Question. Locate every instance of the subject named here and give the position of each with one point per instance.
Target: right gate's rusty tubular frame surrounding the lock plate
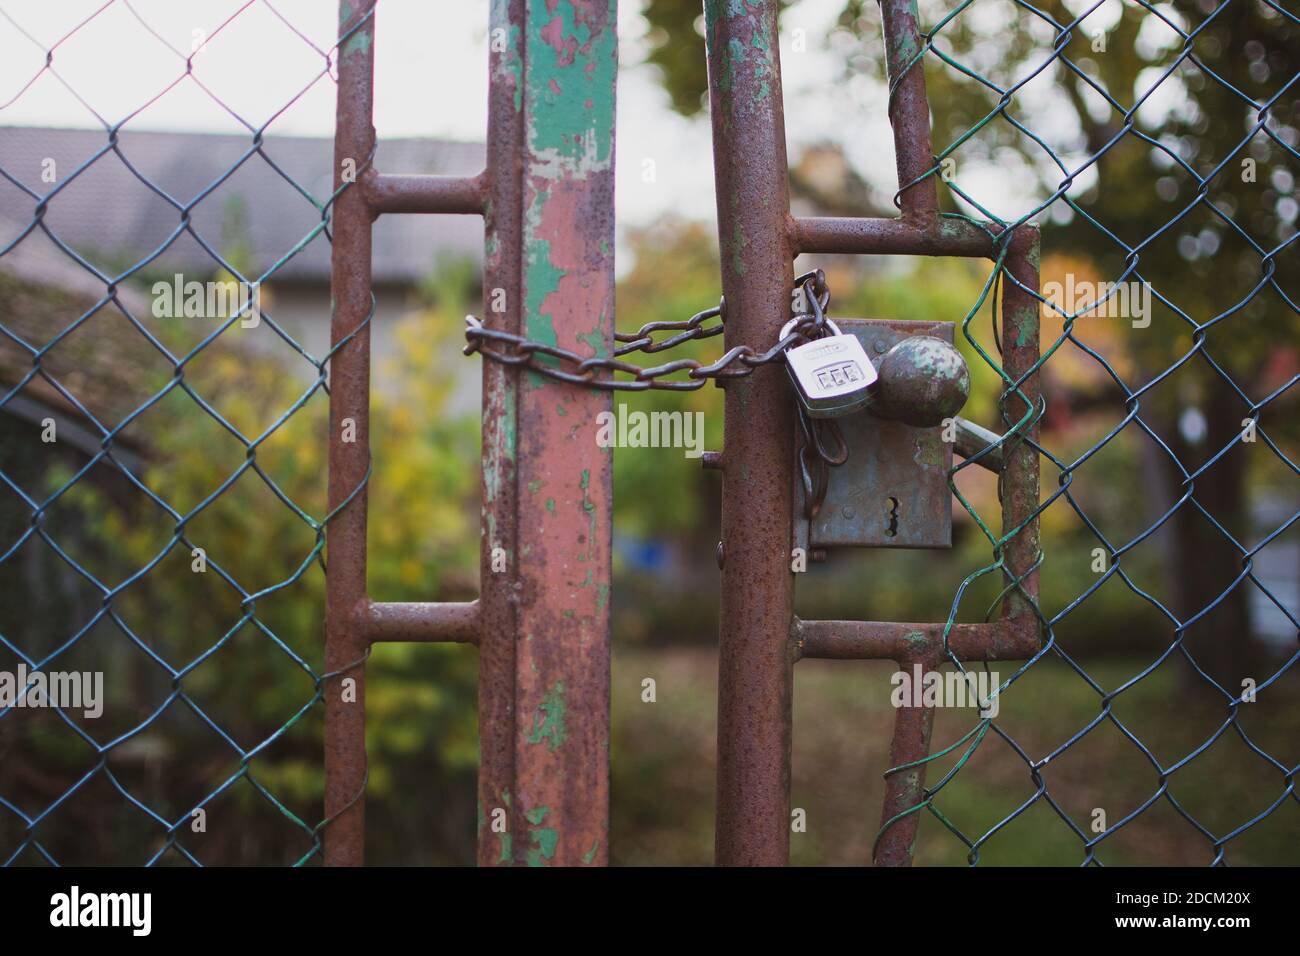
(760, 637)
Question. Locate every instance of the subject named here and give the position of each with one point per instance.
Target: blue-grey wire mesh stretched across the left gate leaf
(88, 358)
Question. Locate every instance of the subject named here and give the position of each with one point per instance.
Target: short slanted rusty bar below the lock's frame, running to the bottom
(905, 789)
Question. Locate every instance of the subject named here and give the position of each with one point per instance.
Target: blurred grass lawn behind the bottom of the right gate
(664, 767)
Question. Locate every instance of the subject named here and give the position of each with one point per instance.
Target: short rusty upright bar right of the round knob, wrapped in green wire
(1020, 486)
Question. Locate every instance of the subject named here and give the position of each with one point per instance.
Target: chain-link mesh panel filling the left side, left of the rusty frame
(164, 521)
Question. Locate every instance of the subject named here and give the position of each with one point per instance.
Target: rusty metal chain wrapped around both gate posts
(821, 442)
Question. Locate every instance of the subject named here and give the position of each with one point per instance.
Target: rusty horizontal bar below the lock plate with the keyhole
(1009, 639)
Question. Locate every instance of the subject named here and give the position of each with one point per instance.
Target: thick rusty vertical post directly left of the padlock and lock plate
(756, 652)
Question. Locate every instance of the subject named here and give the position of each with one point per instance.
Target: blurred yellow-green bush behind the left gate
(257, 514)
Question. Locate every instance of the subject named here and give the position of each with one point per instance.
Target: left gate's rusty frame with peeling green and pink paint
(543, 624)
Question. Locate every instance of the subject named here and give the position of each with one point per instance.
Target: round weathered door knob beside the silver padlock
(924, 380)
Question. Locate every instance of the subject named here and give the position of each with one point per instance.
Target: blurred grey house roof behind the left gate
(114, 219)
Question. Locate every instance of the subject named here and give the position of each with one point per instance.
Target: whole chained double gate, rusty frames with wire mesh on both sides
(553, 360)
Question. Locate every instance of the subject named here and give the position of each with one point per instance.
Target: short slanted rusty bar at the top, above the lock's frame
(909, 111)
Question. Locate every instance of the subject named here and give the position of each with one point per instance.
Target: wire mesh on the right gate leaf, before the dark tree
(1160, 194)
